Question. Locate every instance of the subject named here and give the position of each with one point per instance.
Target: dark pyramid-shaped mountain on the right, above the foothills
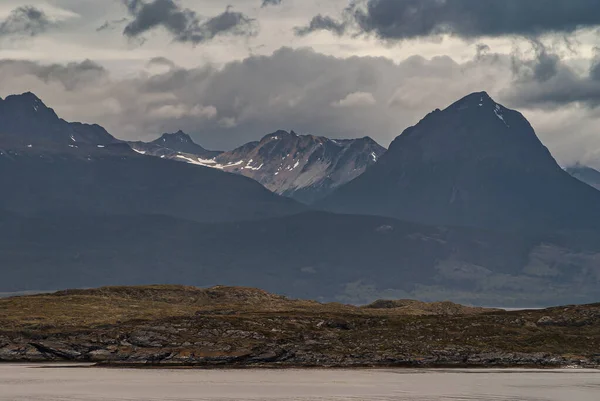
(476, 163)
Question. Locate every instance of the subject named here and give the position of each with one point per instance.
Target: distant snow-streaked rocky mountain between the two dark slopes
(303, 167)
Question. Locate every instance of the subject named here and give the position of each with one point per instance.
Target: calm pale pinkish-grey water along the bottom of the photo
(27, 382)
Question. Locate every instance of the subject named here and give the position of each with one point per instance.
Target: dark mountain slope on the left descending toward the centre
(54, 166)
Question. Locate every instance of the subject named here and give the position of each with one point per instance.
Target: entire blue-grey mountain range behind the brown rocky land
(467, 205)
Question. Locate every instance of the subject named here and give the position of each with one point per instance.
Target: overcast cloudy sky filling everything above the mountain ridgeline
(228, 72)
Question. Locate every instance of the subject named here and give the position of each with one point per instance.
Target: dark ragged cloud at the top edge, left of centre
(184, 24)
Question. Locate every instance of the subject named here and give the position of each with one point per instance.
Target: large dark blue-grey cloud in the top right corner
(410, 19)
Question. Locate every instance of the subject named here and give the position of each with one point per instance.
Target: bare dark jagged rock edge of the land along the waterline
(283, 357)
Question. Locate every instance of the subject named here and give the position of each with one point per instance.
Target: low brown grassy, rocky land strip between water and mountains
(230, 328)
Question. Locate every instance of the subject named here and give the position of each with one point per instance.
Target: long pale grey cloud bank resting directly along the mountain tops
(302, 90)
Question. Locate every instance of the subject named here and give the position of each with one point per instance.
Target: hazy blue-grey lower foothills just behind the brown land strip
(323, 256)
